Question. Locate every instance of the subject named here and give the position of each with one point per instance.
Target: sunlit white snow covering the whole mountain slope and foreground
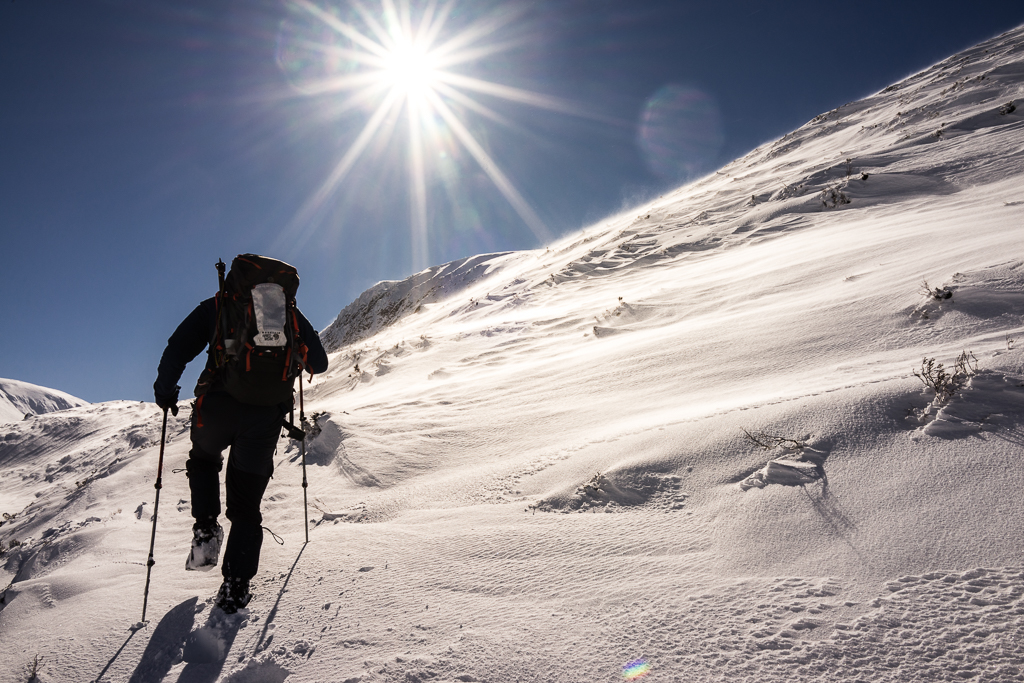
(479, 416)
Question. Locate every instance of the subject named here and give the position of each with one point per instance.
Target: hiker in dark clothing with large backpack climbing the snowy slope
(259, 344)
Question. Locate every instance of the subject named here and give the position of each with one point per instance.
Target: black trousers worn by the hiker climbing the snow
(252, 432)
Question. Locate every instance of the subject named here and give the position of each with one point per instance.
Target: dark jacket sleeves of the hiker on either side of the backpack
(195, 333)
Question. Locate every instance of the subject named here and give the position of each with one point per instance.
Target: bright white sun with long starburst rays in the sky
(399, 56)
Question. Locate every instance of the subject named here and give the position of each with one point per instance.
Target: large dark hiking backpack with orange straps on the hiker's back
(257, 352)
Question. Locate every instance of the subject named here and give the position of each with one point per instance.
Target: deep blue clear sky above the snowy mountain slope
(143, 141)
